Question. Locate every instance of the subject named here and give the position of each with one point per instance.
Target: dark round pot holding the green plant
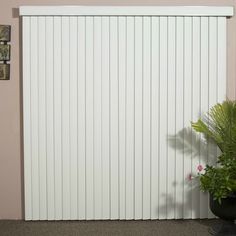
(226, 210)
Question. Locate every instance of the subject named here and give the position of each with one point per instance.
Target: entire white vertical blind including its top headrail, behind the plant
(109, 93)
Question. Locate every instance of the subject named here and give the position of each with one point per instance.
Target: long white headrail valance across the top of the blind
(127, 11)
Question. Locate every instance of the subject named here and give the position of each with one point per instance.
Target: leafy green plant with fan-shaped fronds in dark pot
(219, 125)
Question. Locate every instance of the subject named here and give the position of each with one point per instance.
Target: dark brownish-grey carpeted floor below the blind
(100, 228)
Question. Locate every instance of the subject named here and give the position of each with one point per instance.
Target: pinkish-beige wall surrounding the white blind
(11, 150)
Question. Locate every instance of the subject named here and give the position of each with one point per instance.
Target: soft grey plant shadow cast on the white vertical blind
(188, 144)
